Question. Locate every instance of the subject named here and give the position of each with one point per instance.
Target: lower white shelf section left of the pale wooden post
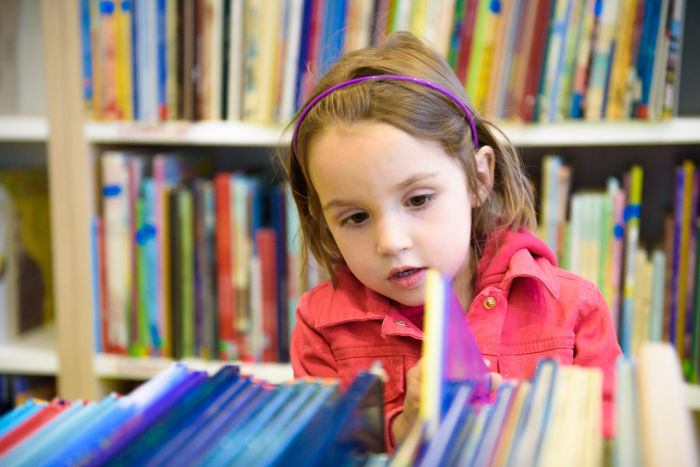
(31, 353)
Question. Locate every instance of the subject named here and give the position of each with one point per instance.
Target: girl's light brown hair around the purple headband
(419, 111)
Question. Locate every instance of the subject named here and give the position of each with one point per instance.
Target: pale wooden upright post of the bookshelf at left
(71, 199)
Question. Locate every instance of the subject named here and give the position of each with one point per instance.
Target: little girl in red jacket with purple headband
(393, 171)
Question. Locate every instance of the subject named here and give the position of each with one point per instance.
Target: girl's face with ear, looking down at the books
(396, 205)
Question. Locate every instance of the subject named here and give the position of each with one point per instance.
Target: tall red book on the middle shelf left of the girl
(224, 282)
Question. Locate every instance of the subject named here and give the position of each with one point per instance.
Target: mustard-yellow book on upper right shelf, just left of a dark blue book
(621, 60)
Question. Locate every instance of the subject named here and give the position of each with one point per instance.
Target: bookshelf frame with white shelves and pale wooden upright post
(66, 350)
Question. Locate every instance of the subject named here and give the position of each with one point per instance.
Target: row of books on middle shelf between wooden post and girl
(190, 263)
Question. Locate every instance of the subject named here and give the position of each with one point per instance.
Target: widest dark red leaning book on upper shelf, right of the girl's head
(533, 74)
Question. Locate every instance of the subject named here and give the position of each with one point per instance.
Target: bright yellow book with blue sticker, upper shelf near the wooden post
(124, 87)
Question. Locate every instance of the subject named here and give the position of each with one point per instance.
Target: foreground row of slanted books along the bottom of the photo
(189, 418)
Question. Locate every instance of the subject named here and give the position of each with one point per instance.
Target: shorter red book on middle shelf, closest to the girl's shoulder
(265, 239)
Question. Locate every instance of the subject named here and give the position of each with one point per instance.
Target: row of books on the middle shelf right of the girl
(652, 295)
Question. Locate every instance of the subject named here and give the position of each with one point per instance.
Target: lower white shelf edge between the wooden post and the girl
(109, 366)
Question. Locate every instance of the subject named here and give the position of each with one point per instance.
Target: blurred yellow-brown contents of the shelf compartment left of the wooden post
(26, 281)
